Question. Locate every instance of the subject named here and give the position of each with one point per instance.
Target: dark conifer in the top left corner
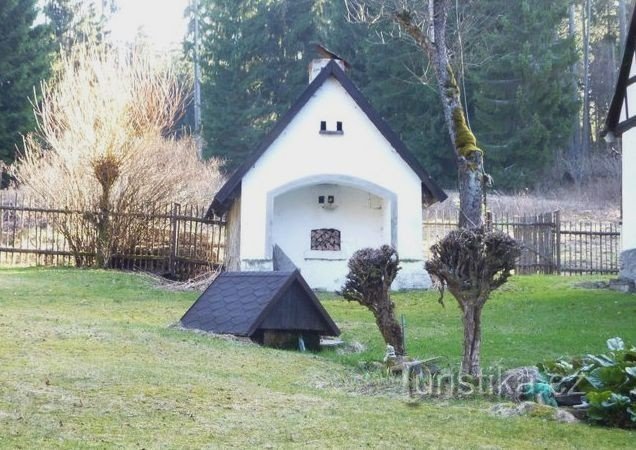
(24, 61)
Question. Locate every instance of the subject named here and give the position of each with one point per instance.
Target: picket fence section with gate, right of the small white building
(549, 245)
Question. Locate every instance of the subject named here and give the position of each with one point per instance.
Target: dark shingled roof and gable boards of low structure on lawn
(239, 303)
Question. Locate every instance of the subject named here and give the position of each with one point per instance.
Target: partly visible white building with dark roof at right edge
(621, 122)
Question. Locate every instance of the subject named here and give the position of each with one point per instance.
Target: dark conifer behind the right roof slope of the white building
(390, 72)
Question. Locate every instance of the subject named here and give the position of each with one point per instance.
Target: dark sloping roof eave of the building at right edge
(613, 123)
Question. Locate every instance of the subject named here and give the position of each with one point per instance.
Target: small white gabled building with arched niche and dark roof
(329, 179)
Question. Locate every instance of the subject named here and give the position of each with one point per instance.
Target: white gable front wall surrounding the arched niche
(302, 153)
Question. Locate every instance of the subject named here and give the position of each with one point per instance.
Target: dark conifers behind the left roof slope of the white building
(254, 57)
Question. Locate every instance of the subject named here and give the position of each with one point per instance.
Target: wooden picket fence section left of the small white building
(174, 240)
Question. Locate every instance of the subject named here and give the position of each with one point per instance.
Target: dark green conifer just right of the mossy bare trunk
(523, 98)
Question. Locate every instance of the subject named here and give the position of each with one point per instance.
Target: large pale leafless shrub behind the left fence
(103, 145)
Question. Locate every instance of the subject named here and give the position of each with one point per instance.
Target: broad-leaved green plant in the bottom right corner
(608, 381)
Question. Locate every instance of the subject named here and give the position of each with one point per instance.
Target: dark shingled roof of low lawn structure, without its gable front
(238, 302)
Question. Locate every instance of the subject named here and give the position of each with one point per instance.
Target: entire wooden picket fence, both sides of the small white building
(177, 240)
